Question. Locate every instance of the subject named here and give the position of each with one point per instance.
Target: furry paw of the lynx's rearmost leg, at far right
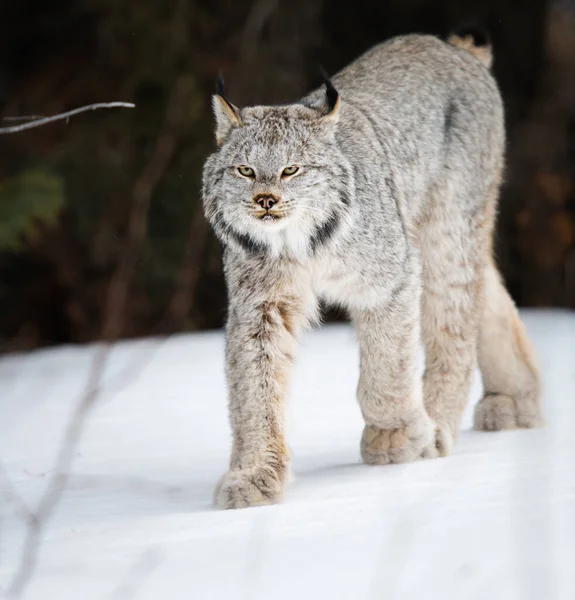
(498, 411)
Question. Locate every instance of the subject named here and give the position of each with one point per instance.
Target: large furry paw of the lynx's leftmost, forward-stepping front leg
(242, 488)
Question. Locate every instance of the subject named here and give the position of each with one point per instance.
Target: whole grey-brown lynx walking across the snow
(378, 194)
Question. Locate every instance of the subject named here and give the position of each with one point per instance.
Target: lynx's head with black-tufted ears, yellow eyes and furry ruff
(278, 183)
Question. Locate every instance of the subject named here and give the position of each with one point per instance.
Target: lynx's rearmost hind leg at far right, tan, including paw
(510, 378)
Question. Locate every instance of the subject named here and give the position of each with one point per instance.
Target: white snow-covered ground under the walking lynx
(496, 520)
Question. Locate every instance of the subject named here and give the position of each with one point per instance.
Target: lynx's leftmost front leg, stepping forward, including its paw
(261, 343)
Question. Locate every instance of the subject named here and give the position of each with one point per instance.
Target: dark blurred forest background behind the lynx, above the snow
(117, 188)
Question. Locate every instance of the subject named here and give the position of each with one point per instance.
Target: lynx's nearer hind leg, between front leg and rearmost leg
(454, 250)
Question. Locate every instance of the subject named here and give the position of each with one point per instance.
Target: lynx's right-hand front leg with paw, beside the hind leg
(389, 392)
